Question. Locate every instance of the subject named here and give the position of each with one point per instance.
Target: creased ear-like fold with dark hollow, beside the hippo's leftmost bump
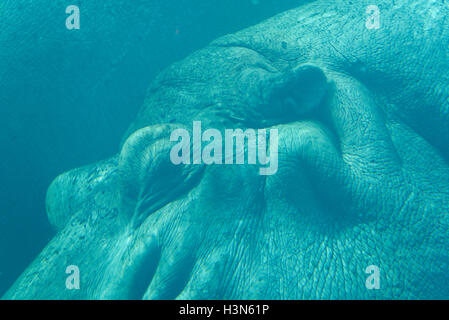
(150, 179)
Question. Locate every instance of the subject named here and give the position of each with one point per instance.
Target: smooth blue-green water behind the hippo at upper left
(67, 96)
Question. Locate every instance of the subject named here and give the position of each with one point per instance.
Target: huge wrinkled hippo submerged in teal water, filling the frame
(362, 180)
